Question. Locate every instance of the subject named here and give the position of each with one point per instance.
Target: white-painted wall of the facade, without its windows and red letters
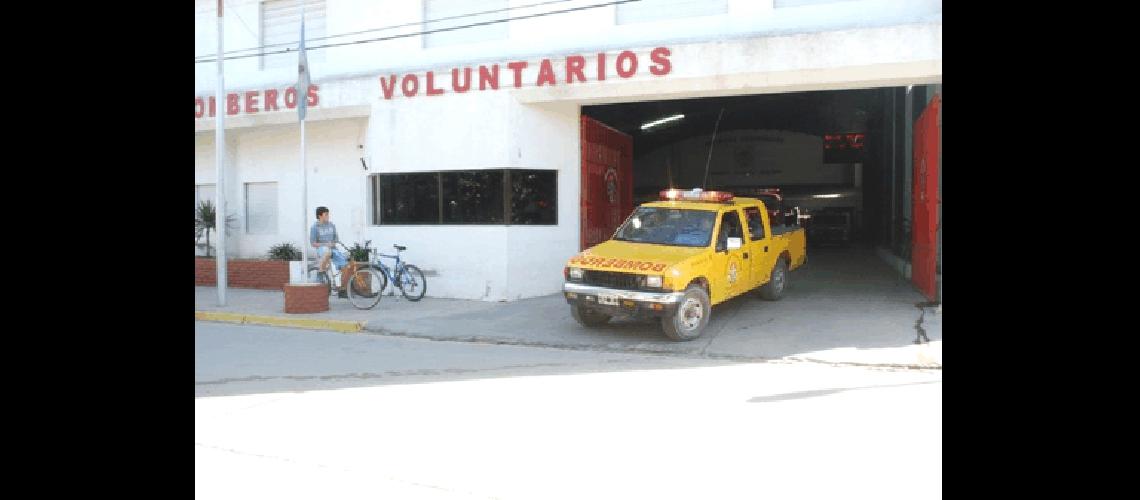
(756, 48)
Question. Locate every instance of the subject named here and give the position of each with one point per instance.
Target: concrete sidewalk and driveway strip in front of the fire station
(817, 322)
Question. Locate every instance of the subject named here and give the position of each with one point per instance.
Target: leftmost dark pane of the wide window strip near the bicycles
(410, 199)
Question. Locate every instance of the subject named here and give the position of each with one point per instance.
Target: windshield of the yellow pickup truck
(674, 227)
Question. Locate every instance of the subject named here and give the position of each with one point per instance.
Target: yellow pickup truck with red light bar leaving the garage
(677, 258)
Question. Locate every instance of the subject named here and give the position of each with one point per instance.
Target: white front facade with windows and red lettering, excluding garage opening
(455, 128)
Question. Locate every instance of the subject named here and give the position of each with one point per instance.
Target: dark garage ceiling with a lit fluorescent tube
(813, 113)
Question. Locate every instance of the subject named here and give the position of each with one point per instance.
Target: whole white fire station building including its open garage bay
(495, 138)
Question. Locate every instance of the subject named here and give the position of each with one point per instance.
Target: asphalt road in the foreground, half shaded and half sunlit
(302, 414)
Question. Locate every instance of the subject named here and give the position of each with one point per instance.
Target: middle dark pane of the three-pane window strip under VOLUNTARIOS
(473, 198)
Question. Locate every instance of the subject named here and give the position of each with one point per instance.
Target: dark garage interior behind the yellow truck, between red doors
(841, 157)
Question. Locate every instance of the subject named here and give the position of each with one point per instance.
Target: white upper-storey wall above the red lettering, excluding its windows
(588, 30)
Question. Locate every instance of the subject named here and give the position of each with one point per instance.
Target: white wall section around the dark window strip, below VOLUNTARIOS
(482, 263)
